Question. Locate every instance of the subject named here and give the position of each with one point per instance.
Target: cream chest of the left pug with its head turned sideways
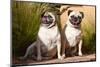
(48, 36)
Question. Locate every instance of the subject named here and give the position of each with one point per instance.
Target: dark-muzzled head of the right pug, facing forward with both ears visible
(75, 17)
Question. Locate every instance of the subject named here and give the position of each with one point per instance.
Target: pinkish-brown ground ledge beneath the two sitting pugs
(84, 58)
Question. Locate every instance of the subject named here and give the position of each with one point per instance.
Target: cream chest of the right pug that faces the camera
(73, 36)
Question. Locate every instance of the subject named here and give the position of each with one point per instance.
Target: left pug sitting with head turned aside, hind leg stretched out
(48, 42)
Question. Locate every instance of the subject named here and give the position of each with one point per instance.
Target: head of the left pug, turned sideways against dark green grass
(48, 18)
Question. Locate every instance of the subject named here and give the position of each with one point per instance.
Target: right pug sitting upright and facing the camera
(73, 33)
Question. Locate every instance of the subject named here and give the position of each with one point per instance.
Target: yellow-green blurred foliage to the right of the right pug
(89, 35)
